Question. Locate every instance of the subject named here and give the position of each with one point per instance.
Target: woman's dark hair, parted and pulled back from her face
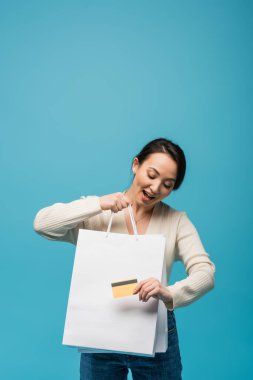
(162, 145)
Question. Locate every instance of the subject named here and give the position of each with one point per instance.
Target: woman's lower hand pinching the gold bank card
(152, 288)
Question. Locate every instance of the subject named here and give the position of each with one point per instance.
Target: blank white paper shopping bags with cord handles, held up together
(98, 322)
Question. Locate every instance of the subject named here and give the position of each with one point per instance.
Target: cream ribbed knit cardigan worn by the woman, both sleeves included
(62, 221)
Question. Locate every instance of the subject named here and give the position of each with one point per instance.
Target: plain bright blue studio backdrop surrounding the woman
(84, 85)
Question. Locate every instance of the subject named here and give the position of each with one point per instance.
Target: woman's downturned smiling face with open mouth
(154, 179)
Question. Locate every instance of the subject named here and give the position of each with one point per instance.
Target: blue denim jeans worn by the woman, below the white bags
(165, 365)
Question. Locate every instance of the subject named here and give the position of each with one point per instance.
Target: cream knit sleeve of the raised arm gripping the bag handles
(61, 221)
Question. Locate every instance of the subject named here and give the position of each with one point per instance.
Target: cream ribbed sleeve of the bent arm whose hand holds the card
(199, 267)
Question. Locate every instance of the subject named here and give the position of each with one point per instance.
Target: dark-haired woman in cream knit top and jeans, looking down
(158, 170)
